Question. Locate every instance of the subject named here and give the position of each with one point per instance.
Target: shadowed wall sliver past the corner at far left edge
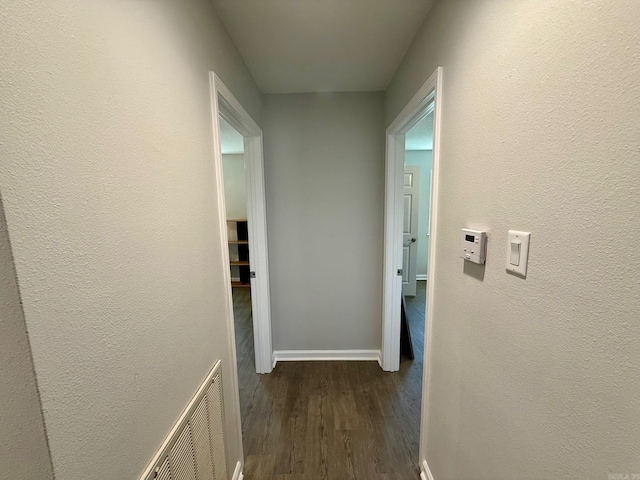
(23, 451)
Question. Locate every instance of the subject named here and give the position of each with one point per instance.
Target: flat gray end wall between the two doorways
(324, 170)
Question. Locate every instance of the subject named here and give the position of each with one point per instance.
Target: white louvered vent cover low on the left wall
(195, 449)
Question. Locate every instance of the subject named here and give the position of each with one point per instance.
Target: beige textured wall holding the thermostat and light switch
(535, 378)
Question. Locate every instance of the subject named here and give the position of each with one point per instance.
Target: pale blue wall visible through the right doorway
(422, 159)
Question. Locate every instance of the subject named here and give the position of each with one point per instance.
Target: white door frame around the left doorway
(224, 103)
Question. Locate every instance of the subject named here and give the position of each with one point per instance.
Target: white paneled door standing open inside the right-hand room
(410, 229)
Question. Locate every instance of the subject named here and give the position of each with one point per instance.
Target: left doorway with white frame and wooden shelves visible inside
(239, 169)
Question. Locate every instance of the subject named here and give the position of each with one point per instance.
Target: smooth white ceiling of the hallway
(322, 45)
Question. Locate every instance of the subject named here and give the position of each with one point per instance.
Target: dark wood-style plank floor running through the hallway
(330, 420)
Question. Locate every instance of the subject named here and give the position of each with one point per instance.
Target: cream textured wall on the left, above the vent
(108, 186)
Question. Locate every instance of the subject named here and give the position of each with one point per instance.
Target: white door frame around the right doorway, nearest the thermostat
(430, 92)
